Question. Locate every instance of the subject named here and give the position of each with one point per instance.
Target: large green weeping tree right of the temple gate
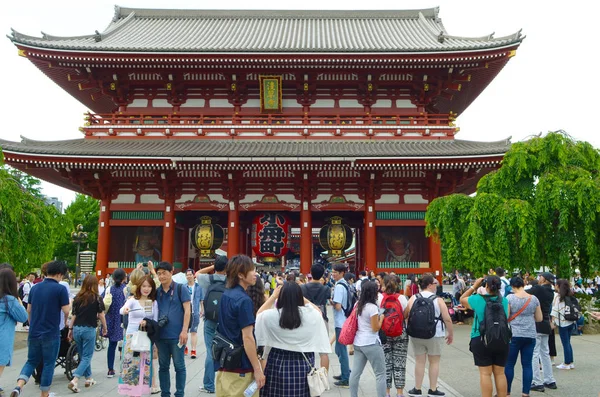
(540, 209)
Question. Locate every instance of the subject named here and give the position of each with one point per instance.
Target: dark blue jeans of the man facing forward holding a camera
(167, 348)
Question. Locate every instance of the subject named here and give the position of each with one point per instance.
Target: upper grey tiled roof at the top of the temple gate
(231, 31)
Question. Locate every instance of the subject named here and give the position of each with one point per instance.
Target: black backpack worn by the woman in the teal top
(494, 329)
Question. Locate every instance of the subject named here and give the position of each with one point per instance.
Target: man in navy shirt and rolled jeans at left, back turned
(46, 302)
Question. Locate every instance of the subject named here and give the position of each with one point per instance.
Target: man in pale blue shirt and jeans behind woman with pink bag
(340, 301)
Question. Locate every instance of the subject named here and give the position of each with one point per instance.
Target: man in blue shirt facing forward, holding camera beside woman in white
(173, 319)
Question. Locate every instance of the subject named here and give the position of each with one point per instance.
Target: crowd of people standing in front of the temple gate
(264, 331)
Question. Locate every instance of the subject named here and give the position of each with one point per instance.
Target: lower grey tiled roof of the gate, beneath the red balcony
(257, 149)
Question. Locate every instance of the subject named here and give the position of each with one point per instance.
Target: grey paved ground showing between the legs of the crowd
(458, 376)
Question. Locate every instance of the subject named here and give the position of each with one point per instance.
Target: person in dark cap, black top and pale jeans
(544, 291)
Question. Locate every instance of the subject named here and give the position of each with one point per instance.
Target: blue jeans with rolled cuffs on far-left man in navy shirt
(44, 350)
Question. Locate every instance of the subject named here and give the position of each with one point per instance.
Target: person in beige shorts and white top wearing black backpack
(429, 323)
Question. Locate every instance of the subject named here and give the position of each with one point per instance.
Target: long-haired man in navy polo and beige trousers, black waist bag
(236, 323)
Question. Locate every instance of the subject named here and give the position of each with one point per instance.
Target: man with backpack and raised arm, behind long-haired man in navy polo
(213, 286)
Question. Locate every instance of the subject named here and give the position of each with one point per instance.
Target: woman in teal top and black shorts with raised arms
(489, 362)
